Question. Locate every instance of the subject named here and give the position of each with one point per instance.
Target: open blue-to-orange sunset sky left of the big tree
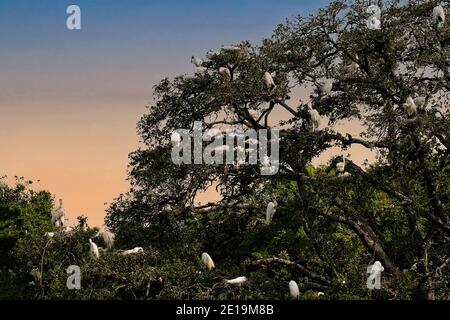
(70, 99)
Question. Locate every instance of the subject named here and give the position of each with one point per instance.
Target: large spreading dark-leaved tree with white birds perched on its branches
(328, 226)
